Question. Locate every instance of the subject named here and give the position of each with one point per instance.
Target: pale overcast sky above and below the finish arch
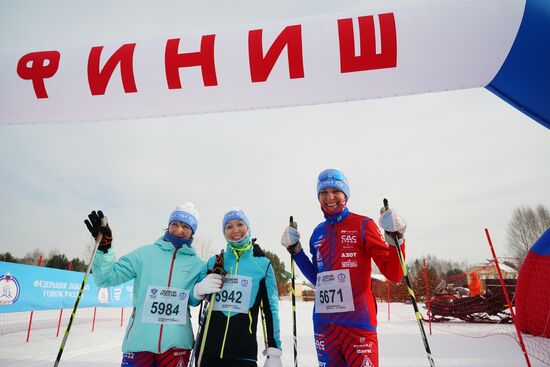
(451, 163)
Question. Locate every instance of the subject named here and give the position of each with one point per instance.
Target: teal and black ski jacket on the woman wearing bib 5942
(232, 329)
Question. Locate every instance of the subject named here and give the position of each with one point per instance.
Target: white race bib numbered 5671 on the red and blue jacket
(333, 292)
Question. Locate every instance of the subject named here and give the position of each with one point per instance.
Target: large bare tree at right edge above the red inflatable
(526, 226)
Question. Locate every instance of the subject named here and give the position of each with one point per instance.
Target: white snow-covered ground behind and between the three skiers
(399, 338)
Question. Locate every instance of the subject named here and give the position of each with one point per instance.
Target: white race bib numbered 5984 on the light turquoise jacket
(165, 305)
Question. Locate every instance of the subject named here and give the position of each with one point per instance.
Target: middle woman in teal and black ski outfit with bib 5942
(230, 332)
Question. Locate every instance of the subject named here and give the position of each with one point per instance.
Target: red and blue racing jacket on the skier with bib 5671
(342, 248)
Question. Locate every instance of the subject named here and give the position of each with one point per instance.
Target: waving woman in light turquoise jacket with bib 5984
(159, 332)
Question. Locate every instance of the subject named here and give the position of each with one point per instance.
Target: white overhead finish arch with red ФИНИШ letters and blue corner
(389, 48)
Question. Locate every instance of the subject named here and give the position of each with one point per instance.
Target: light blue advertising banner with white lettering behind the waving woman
(34, 288)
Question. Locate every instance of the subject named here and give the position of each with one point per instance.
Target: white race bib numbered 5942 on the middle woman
(234, 295)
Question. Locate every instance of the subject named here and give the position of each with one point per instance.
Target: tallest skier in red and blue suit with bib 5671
(341, 248)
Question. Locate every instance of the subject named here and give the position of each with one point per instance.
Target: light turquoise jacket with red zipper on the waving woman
(152, 267)
